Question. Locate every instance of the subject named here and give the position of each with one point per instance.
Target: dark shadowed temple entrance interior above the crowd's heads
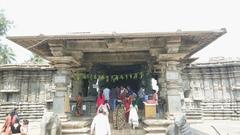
(124, 77)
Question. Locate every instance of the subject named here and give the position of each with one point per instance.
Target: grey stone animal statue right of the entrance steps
(180, 126)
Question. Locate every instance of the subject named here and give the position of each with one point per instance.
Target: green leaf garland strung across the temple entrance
(107, 78)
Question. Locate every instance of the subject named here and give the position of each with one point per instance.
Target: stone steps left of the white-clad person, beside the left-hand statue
(76, 126)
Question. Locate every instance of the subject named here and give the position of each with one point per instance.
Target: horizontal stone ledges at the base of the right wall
(221, 111)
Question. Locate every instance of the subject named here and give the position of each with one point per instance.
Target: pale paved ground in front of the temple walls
(224, 127)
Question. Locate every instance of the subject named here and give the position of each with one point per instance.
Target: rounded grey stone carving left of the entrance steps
(50, 124)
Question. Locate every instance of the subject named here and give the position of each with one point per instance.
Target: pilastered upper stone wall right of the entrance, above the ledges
(212, 81)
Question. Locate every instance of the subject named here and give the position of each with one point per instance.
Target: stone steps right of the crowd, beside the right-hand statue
(156, 126)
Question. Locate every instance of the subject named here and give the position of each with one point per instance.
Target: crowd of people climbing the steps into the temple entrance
(123, 102)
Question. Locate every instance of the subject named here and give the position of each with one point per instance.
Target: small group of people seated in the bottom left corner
(12, 124)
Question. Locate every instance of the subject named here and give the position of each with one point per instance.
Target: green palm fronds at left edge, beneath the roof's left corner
(7, 55)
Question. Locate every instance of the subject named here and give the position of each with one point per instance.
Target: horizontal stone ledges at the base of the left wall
(29, 111)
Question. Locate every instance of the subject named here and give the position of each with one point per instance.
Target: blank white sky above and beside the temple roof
(50, 17)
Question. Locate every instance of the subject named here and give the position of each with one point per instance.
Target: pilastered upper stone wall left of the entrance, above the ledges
(26, 83)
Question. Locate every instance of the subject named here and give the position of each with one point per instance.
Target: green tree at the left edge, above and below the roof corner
(6, 53)
